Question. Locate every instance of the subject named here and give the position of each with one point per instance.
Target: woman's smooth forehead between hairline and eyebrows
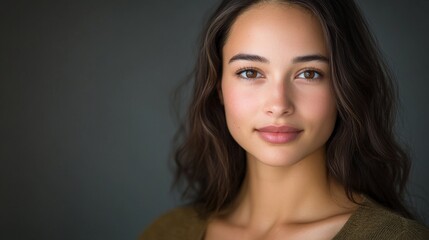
(276, 30)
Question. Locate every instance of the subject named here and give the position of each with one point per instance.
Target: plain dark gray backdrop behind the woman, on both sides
(85, 125)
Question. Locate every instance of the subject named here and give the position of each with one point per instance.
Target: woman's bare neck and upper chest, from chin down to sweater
(272, 206)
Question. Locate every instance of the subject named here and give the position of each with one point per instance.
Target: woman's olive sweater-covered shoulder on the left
(178, 223)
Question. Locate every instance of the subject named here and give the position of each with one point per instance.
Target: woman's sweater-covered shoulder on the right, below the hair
(372, 221)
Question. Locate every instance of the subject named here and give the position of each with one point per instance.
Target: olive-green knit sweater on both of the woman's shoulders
(369, 221)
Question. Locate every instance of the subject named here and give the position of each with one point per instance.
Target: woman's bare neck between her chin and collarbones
(299, 193)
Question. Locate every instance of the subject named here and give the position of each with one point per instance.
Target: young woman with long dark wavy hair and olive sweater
(289, 133)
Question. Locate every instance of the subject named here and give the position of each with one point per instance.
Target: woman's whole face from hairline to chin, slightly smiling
(276, 84)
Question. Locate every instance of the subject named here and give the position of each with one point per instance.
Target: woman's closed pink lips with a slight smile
(278, 135)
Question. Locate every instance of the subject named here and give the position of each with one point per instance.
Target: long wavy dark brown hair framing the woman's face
(362, 153)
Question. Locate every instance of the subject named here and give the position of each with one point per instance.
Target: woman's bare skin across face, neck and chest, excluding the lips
(276, 72)
